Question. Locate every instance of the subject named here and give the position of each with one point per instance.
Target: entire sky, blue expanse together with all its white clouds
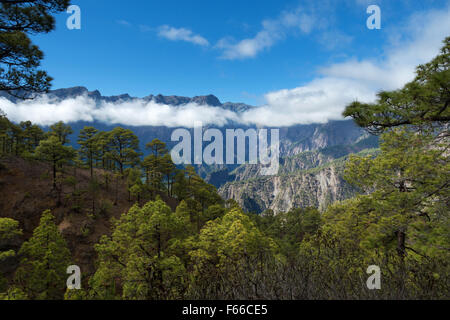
(298, 61)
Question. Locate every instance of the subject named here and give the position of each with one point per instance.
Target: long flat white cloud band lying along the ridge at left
(137, 112)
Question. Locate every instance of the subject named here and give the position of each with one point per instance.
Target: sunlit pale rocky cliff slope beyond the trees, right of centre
(308, 179)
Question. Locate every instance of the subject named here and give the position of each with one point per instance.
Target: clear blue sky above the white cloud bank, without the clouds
(121, 46)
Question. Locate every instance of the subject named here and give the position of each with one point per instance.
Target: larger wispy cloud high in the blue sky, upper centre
(272, 31)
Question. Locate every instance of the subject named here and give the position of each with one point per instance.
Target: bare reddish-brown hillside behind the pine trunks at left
(26, 192)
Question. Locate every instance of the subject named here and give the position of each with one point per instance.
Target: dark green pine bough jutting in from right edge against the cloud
(421, 103)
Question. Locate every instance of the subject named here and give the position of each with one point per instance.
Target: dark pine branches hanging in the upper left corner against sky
(19, 57)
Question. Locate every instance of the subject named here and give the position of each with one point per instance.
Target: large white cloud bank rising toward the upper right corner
(325, 98)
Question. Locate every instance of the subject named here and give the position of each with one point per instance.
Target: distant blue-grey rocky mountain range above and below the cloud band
(312, 155)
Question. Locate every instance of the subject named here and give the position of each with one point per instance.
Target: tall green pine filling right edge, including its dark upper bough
(400, 219)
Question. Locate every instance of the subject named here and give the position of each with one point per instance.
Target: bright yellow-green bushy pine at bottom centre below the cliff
(230, 258)
